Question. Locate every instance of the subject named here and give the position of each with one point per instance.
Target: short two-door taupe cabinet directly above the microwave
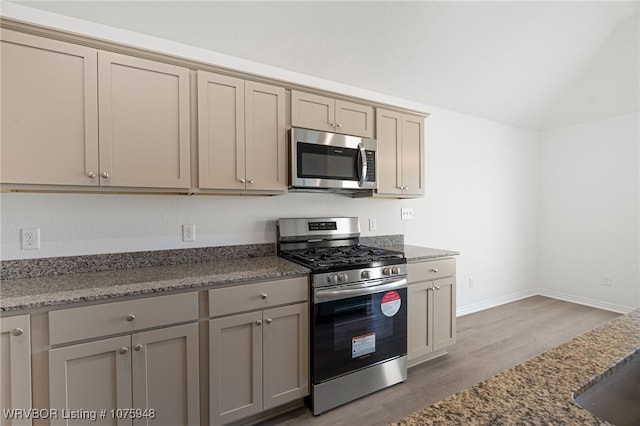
(332, 115)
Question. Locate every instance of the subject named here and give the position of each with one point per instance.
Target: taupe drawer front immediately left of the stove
(249, 297)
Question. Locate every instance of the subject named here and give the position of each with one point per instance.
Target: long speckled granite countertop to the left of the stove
(47, 291)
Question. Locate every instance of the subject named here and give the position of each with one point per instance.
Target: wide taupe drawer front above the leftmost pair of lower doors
(89, 322)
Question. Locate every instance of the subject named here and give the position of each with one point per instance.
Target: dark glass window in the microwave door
(327, 162)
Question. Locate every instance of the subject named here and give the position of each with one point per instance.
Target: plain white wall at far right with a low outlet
(590, 211)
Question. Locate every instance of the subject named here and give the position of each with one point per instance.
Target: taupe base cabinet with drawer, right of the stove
(431, 309)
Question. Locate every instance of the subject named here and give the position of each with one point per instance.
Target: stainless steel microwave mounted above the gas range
(323, 160)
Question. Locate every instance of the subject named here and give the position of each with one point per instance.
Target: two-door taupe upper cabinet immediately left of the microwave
(241, 135)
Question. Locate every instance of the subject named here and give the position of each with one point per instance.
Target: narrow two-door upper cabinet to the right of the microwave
(400, 154)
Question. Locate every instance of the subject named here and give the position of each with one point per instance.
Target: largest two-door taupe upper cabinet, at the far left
(74, 115)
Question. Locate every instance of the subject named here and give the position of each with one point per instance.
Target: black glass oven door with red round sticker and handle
(365, 327)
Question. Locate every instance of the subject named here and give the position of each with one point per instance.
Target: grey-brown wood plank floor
(488, 342)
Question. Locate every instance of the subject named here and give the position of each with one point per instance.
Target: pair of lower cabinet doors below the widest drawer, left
(153, 372)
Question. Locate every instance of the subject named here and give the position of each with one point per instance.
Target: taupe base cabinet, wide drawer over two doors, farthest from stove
(146, 374)
